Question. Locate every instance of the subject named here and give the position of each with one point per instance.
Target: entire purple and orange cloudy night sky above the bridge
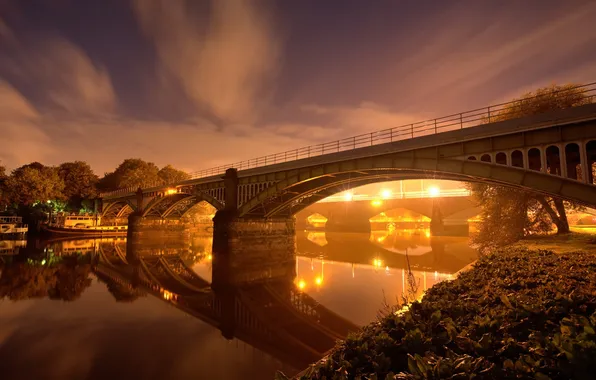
(203, 83)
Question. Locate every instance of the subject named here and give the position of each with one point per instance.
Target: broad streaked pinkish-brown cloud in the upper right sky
(478, 58)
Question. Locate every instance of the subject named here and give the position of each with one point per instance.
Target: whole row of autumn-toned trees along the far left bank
(71, 186)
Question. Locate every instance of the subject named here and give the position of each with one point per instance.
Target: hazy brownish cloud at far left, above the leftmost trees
(62, 77)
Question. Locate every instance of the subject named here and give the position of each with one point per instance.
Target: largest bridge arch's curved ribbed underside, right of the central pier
(309, 185)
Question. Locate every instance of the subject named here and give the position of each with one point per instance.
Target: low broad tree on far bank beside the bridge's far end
(132, 172)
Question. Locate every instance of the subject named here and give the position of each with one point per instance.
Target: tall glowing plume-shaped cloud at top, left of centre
(226, 65)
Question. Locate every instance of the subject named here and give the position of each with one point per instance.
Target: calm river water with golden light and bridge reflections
(88, 309)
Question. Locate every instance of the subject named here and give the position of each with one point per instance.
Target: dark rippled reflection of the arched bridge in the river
(272, 316)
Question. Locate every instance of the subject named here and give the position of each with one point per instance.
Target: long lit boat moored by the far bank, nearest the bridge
(81, 225)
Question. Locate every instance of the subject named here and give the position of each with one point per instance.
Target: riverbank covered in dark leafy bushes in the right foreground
(518, 313)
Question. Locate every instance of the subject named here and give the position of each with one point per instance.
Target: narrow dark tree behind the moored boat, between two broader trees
(79, 182)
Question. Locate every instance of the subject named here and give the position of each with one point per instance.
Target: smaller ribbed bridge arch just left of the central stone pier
(176, 205)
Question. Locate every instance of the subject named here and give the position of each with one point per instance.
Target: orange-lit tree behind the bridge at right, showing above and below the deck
(507, 214)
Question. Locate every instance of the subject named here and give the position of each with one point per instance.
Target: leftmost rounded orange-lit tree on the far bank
(34, 183)
